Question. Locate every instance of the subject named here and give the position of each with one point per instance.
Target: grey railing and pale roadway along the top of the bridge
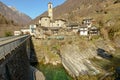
(10, 44)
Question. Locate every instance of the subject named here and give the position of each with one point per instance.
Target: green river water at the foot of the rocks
(53, 72)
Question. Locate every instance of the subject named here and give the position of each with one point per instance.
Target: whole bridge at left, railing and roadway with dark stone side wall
(15, 58)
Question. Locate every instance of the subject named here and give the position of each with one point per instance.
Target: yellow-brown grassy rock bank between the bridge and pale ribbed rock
(45, 51)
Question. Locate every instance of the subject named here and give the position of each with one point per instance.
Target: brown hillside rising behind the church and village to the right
(106, 14)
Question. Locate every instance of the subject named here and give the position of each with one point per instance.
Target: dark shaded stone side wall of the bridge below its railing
(16, 65)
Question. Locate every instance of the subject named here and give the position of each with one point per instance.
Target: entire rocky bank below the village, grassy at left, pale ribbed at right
(74, 54)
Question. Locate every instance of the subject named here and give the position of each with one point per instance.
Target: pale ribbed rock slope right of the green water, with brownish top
(76, 57)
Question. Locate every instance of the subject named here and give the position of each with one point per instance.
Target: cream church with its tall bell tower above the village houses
(48, 21)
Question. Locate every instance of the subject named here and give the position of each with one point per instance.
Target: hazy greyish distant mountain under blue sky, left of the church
(14, 15)
